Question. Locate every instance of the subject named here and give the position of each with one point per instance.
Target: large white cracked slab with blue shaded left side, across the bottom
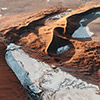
(39, 76)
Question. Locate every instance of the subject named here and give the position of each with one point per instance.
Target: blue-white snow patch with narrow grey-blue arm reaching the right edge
(83, 31)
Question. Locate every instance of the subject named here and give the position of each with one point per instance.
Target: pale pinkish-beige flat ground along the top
(24, 6)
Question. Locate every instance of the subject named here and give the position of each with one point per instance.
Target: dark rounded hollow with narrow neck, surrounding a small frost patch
(57, 42)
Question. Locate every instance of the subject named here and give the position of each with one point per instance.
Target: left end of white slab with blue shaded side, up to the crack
(25, 67)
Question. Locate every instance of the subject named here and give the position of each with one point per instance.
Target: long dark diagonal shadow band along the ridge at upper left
(14, 34)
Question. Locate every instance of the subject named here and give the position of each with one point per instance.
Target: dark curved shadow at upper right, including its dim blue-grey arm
(73, 22)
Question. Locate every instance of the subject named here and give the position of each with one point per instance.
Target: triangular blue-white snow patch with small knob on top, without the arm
(82, 31)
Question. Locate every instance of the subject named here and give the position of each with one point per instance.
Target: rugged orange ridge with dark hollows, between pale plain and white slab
(46, 32)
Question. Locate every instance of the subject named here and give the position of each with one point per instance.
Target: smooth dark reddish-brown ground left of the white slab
(10, 87)
